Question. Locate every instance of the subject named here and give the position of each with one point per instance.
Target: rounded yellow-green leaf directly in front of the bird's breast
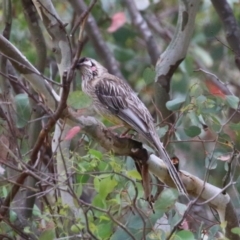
(79, 99)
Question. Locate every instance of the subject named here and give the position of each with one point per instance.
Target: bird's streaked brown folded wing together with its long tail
(121, 101)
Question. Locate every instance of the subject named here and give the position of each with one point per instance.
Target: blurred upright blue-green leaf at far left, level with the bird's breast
(23, 109)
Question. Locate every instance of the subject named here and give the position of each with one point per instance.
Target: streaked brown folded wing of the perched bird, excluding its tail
(120, 100)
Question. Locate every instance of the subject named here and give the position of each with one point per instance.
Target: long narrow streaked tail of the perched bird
(171, 168)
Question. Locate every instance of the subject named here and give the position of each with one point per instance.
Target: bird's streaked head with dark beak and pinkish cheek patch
(90, 68)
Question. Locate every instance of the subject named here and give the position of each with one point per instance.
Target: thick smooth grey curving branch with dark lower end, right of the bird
(175, 53)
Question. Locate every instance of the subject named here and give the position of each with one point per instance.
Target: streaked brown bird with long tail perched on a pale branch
(114, 99)
